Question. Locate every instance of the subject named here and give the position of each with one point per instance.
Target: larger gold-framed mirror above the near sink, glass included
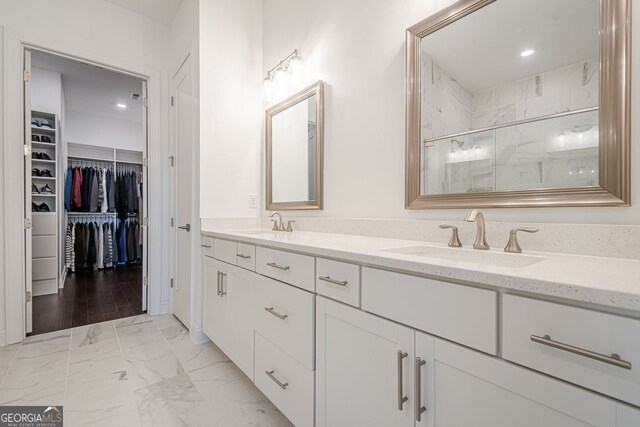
(519, 103)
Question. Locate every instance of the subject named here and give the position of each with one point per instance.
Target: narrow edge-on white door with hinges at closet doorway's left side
(27, 192)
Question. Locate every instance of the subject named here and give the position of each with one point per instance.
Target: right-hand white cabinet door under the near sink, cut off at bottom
(470, 389)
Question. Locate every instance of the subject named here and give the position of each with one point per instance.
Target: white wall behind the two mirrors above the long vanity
(358, 48)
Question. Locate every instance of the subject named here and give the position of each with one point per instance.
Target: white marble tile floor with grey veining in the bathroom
(139, 371)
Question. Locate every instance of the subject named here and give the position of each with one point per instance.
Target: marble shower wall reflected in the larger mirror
(553, 153)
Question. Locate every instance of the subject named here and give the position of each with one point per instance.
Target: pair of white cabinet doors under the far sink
(229, 311)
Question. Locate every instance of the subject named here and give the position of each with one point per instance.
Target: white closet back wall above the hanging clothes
(103, 131)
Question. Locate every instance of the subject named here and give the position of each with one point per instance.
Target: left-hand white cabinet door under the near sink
(358, 366)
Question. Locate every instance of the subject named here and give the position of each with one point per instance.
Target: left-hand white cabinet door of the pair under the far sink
(213, 310)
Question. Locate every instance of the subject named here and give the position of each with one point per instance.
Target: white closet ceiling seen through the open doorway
(93, 90)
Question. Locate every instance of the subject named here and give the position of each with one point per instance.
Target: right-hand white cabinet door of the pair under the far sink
(238, 292)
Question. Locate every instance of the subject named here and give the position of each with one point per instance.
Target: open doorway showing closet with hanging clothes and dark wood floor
(85, 193)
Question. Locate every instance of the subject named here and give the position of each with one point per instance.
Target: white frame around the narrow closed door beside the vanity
(195, 326)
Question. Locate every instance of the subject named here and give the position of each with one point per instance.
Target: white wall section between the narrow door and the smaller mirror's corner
(230, 106)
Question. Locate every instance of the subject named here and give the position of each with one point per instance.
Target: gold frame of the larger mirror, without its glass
(614, 121)
